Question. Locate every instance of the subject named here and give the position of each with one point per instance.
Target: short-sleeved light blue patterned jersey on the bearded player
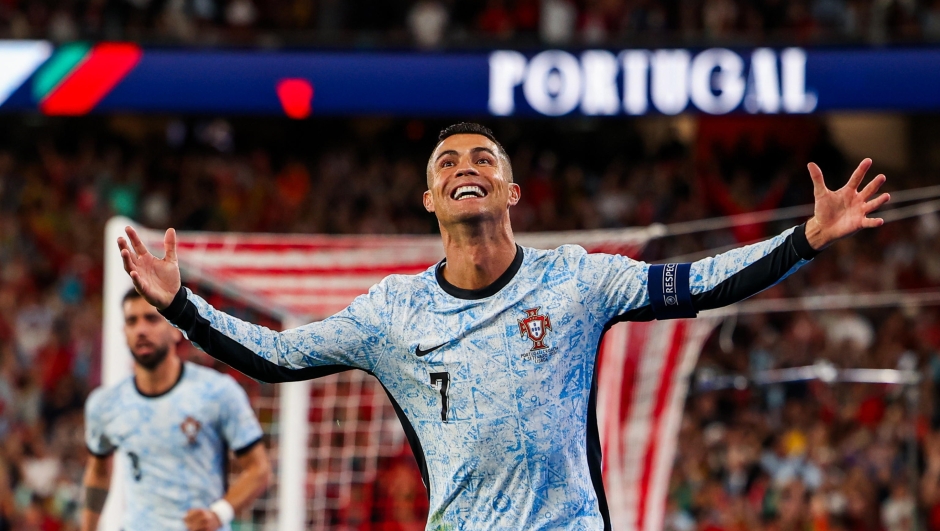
(176, 443)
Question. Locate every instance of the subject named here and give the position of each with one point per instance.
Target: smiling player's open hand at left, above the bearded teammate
(156, 279)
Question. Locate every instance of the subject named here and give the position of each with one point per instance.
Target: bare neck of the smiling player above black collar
(477, 254)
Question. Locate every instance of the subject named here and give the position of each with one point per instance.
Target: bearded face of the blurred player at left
(149, 335)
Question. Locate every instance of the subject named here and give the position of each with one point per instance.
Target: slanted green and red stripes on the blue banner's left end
(80, 75)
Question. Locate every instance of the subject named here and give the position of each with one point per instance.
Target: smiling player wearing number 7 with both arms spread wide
(489, 356)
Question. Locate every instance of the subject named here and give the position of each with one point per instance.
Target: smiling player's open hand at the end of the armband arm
(843, 212)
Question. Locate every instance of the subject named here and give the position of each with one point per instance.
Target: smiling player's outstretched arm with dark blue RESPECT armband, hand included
(637, 291)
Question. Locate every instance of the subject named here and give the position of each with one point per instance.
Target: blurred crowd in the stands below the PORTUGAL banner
(806, 456)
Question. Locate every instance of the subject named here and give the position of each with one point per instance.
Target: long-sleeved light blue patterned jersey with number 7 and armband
(495, 387)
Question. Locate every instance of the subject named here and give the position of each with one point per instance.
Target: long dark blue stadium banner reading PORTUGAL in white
(79, 78)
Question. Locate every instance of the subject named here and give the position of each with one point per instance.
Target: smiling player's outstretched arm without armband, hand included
(344, 341)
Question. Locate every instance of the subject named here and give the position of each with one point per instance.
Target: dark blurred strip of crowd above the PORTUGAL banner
(470, 23)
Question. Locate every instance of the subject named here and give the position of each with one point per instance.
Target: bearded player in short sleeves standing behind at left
(176, 422)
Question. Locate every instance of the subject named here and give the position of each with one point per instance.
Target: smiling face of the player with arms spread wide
(468, 181)
